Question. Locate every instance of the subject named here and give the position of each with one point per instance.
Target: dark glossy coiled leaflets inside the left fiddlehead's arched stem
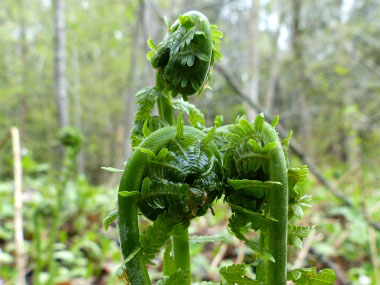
(183, 176)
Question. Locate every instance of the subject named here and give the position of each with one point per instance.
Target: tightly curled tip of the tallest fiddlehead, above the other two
(184, 57)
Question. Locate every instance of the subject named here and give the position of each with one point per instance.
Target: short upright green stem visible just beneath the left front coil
(181, 251)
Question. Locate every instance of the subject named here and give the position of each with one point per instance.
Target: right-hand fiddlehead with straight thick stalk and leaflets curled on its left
(255, 167)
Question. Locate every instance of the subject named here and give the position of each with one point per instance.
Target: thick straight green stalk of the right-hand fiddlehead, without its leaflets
(278, 208)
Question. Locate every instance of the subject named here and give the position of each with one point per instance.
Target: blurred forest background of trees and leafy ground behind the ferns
(80, 62)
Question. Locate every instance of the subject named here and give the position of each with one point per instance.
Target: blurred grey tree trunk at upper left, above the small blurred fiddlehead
(60, 64)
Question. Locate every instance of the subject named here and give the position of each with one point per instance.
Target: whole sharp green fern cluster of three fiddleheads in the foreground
(177, 171)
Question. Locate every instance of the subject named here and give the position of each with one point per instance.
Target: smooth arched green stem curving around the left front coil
(127, 212)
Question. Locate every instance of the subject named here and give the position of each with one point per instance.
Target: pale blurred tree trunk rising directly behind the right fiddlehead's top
(253, 57)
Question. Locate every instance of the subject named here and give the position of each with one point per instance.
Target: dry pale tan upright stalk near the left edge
(19, 235)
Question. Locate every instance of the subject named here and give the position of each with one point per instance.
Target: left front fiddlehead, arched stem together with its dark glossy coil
(174, 170)
